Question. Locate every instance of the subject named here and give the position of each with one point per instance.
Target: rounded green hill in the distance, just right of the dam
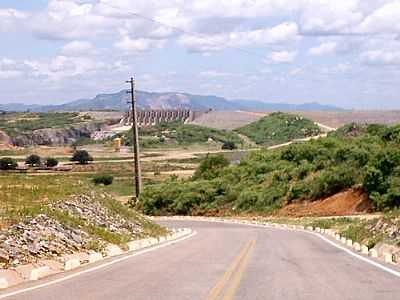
(279, 128)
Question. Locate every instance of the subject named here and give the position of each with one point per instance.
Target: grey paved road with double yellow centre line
(232, 262)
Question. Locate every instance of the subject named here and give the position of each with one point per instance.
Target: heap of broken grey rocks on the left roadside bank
(45, 237)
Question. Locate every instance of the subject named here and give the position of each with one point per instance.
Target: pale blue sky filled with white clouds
(342, 52)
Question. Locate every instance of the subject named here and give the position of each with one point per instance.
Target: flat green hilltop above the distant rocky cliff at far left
(22, 123)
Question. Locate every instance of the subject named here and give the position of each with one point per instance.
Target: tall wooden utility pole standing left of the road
(135, 140)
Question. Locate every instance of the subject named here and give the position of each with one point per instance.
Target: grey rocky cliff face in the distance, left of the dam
(57, 136)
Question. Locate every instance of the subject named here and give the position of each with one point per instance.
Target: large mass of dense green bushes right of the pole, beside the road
(266, 180)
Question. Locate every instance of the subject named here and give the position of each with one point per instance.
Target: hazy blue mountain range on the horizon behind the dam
(146, 100)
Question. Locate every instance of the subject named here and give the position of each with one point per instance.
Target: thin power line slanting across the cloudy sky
(175, 28)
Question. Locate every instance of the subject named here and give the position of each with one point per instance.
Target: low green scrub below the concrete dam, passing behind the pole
(179, 134)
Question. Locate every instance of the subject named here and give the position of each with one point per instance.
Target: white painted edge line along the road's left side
(97, 267)
